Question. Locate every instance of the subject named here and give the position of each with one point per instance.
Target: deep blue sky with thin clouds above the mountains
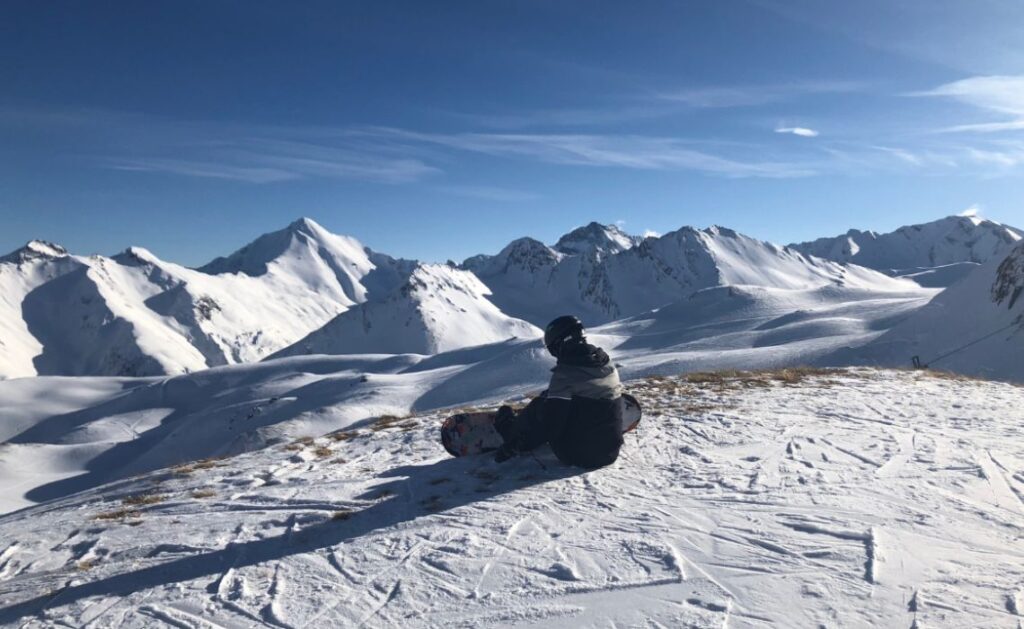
(439, 131)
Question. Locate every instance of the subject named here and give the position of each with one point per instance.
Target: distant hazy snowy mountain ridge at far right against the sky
(936, 255)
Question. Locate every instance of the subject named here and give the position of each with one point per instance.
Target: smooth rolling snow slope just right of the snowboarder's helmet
(745, 327)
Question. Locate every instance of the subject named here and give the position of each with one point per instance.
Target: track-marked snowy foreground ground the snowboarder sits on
(791, 498)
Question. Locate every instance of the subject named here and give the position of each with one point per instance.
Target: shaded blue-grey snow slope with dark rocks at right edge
(985, 311)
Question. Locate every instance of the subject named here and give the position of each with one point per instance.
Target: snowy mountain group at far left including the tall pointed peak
(137, 315)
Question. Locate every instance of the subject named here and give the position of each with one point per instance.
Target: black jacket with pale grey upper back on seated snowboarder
(581, 413)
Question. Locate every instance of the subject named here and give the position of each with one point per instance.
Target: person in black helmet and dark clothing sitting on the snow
(580, 414)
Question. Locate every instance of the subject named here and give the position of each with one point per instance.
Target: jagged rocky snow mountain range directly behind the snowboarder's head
(532, 281)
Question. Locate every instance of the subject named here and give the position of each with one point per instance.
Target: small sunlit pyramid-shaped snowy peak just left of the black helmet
(438, 309)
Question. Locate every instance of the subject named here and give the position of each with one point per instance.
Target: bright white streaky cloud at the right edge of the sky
(999, 95)
